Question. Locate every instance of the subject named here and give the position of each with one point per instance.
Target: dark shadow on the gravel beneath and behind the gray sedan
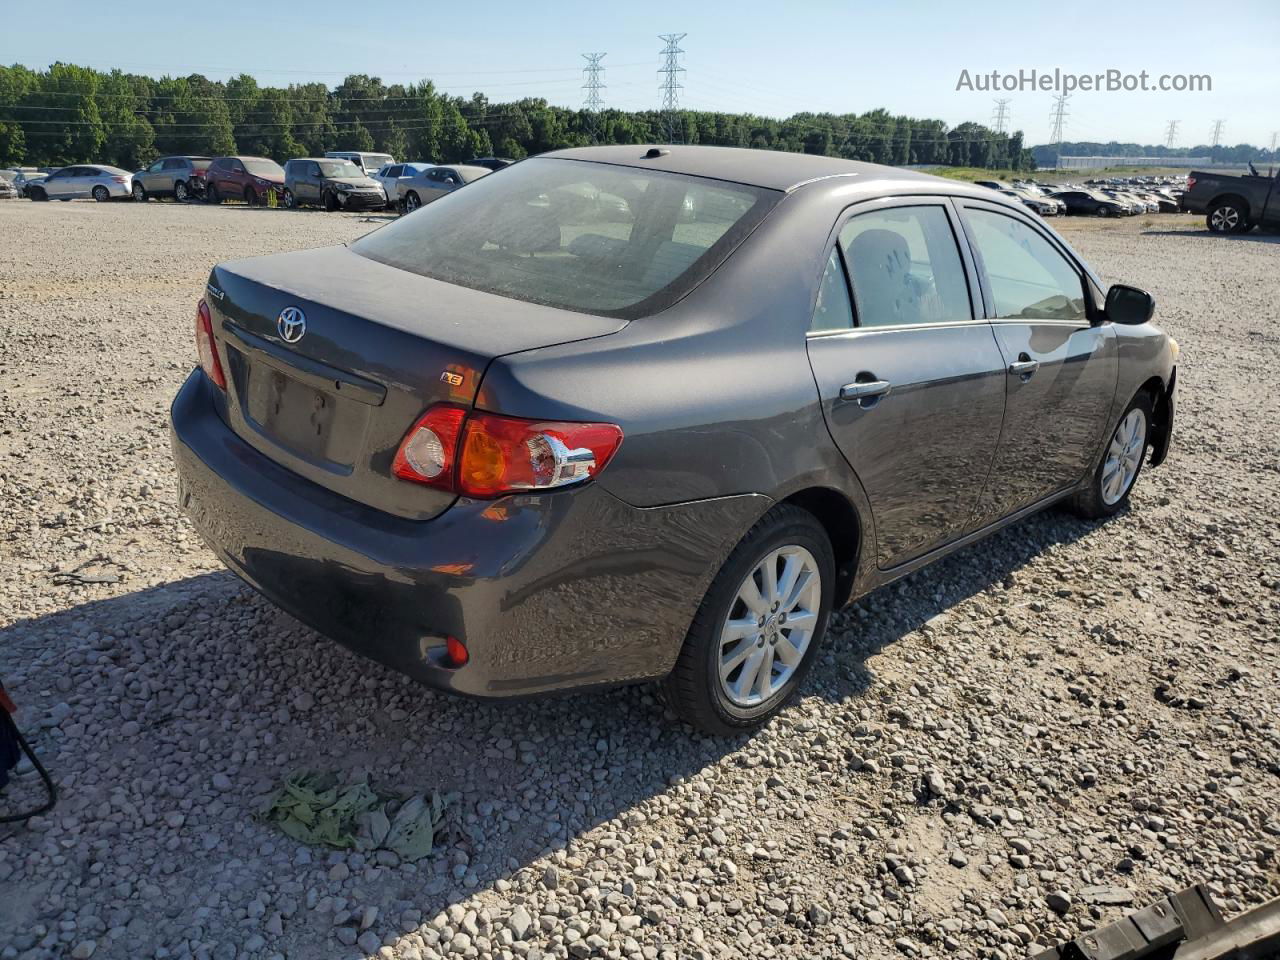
(207, 670)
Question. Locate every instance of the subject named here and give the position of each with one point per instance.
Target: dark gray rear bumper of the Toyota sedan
(548, 593)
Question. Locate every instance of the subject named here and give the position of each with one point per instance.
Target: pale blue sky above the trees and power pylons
(771, 58)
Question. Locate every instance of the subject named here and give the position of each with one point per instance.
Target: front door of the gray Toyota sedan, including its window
(1062, 368)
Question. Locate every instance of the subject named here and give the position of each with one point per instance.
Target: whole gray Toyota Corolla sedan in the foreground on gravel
(629, 414)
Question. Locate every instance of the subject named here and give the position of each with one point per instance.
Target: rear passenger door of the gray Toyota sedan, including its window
(912, 382)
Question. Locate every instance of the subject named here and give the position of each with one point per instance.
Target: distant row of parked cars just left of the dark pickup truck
(1107, 198)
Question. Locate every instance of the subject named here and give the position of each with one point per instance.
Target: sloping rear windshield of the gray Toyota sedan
(597, 239)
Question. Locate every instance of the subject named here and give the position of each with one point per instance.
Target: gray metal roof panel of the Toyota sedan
(772, 170)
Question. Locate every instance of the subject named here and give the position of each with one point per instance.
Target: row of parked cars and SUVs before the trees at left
(337, 181)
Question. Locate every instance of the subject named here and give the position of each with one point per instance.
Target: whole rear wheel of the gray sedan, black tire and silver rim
(706, 685)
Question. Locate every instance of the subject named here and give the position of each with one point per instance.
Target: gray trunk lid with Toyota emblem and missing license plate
(331, 358)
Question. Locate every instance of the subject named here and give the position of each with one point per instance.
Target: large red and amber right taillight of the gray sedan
(486, 455)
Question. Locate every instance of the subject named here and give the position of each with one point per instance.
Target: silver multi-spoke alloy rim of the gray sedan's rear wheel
(770, 625)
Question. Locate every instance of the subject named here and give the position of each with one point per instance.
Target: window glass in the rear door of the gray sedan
(906, 268)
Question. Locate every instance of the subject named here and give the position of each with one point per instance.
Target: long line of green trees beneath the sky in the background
(76, 115)
